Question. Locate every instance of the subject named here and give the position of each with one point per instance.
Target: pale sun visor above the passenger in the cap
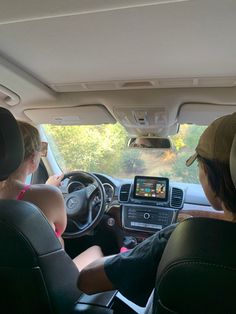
(203, 114)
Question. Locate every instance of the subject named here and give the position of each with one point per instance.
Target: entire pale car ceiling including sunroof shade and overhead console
(128, 55)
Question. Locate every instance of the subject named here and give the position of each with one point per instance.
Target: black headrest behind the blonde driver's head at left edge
(11, 144)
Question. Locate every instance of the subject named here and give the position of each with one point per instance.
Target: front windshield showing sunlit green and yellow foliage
(103, 149)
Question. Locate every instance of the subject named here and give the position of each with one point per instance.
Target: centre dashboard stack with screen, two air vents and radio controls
(149, 204)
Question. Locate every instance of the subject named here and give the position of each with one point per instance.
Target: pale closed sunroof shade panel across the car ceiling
(103, 42)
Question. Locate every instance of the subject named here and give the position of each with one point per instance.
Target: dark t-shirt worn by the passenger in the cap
(133, 273)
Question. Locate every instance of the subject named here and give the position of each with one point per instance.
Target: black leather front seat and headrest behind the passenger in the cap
(197, 272)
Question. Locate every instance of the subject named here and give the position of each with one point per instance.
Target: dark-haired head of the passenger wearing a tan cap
(213, 151)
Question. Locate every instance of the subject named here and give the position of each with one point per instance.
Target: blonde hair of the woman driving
(31, 138)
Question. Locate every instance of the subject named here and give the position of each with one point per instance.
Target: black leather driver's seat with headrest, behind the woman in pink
(36, 274)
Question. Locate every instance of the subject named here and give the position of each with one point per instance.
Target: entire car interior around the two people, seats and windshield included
(148, 77)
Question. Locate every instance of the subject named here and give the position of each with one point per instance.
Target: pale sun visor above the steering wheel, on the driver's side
(81, 115)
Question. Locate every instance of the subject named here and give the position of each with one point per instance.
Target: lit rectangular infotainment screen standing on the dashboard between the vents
(151, 188)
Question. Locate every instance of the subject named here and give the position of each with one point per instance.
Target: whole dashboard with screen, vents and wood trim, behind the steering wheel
(138, 207)
